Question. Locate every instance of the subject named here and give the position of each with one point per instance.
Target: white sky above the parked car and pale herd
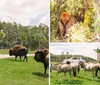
(85, 49)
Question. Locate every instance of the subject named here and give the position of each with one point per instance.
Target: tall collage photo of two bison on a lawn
(24, 42)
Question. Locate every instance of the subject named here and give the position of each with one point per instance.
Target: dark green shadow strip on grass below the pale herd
(71, 82)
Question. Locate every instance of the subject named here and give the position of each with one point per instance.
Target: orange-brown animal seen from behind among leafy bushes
(66, 20)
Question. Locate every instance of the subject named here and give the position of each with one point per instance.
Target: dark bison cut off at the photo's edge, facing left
(42, 56)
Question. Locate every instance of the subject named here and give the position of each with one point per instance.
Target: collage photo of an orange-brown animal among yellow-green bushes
(75, 20)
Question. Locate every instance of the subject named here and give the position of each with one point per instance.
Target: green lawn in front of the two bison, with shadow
(22, 73)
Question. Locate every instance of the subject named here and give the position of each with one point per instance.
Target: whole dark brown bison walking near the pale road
(19, 50)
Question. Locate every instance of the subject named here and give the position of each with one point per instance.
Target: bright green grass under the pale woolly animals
(80, 80)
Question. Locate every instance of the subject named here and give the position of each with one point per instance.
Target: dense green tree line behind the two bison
(33, 37)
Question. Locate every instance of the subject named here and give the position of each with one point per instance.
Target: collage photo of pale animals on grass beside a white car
(74, 64)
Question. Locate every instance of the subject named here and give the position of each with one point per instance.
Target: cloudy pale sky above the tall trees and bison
(25, 12)
